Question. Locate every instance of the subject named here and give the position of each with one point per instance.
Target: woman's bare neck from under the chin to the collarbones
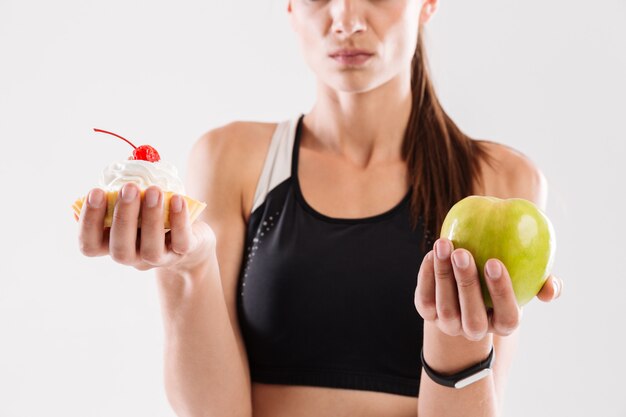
(365, 128)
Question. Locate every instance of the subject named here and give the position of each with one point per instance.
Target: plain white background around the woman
(82, 337)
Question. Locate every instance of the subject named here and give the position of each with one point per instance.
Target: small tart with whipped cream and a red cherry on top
(144, 168)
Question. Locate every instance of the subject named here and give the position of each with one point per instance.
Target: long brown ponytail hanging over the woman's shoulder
(442, 161)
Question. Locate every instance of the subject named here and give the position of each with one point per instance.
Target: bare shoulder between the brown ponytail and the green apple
(507, 173)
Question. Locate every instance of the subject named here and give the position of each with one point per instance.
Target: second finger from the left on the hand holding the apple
(446, 296)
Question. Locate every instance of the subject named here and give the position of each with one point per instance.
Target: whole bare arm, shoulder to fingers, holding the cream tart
(197, 265)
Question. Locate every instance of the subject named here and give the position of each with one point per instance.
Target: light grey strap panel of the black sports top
(277, 166)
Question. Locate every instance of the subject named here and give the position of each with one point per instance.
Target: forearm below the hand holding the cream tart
(204, 372)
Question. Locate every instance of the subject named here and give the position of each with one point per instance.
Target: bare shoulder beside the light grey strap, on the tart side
(226, 161)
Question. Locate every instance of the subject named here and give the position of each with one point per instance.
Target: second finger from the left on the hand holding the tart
(123, 238)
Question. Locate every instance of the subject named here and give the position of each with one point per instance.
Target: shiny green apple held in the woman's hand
(514, 231)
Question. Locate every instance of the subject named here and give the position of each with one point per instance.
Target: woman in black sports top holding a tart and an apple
(296, 295)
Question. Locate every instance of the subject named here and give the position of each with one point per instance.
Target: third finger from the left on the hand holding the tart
(152, 245)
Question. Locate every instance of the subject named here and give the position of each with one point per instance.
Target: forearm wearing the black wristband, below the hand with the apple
(450, 355)
